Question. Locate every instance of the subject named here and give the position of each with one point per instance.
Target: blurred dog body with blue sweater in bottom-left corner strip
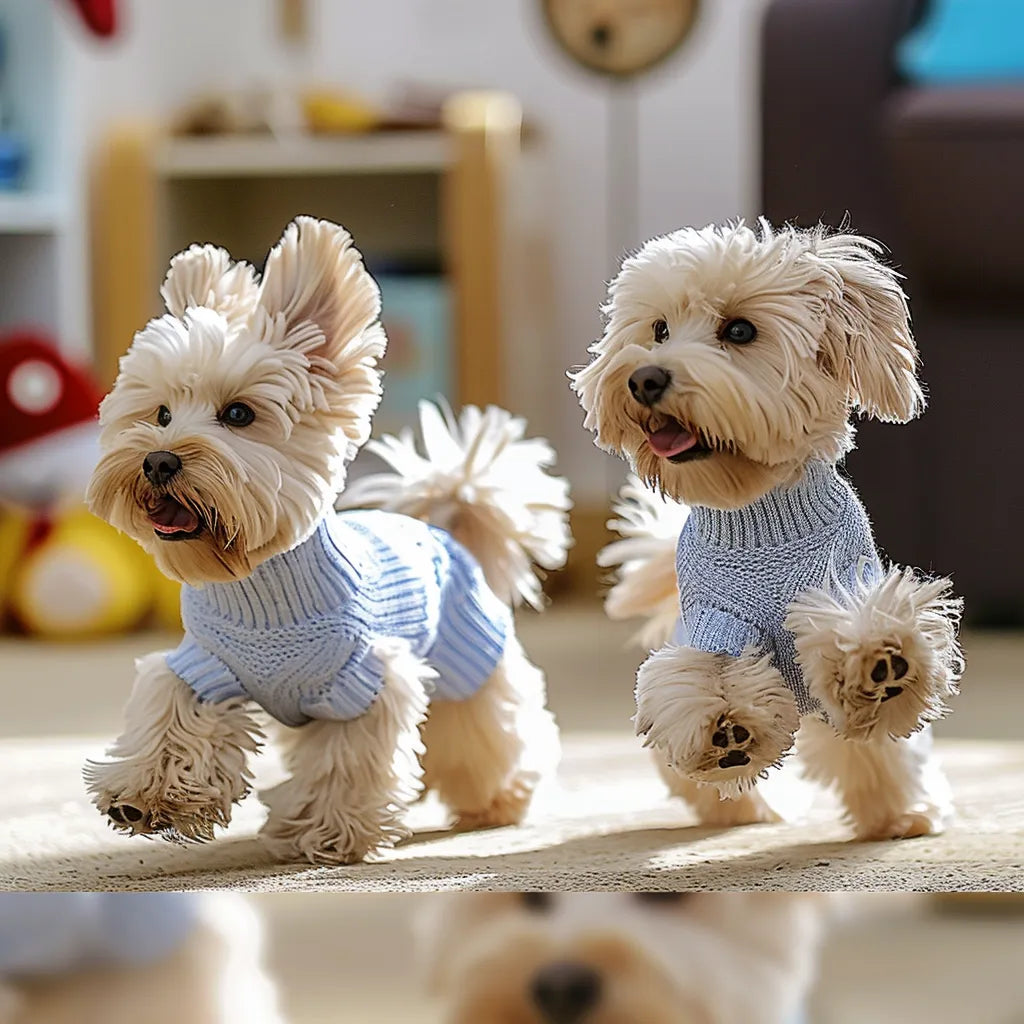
(99, 958)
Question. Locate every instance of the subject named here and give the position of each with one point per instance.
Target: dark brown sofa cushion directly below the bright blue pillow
(957, 162)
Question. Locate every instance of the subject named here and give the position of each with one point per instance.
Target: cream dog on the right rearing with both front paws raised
(730, 365)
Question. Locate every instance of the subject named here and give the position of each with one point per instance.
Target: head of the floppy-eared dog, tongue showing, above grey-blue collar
(732, 357)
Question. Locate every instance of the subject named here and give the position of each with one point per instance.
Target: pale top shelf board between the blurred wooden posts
(394, 153)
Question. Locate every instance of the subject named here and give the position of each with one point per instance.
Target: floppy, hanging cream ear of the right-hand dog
(868, 345)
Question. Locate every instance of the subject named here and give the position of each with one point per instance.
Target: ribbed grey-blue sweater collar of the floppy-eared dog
(810, 506)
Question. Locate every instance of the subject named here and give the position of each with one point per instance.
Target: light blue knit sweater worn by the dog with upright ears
(297, 635)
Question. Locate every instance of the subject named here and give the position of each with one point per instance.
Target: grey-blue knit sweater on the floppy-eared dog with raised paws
(741, 569)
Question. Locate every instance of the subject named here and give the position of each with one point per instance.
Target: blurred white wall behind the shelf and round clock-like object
(697, 119)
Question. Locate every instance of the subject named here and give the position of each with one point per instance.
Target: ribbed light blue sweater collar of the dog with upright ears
(312, 579)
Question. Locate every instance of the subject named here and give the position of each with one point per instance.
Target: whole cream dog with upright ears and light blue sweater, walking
(226, 441)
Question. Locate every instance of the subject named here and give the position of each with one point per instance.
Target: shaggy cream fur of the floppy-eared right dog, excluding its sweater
(732, 358)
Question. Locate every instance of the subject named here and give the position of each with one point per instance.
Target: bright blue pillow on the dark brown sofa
(961, 41)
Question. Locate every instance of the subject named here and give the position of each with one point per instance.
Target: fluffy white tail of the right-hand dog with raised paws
(645, 562)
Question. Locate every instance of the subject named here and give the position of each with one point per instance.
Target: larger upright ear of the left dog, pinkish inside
(318, 297)
